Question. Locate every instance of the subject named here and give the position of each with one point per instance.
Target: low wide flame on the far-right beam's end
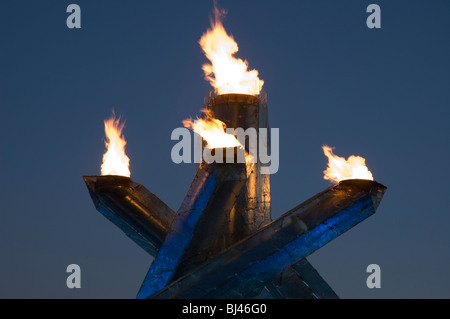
(339, 168)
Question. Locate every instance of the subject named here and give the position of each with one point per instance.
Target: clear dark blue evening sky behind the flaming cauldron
(379, 93)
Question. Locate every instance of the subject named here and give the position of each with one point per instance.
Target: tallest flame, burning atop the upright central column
(226, 73)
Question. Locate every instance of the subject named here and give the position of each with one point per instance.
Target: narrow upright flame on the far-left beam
(115, 161)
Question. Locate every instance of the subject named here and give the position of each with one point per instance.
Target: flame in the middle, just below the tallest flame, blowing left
(212, 131)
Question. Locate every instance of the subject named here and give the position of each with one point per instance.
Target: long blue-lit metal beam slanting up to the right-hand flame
(241, 270)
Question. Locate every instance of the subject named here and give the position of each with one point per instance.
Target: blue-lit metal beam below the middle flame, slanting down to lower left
(215, 188)
